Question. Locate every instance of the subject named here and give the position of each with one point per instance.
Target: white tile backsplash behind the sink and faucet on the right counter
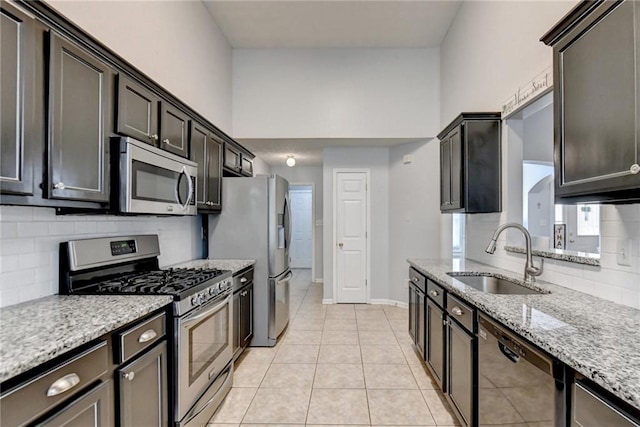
(611, 281)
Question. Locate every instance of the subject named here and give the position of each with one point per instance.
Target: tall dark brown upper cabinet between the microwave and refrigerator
(206, 150)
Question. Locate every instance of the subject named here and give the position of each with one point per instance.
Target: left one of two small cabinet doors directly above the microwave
(137, 114)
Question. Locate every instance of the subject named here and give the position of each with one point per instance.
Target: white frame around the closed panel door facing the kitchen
(334, 243)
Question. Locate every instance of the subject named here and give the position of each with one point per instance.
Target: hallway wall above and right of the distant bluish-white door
(305, 175)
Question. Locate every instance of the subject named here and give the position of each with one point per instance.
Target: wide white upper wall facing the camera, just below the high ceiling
(335, 93)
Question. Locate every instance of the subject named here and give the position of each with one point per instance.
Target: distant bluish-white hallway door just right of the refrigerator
(301, 227)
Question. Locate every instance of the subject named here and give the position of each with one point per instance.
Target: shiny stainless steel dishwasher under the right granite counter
(517, 383)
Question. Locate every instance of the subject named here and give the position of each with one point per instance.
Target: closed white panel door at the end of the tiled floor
(351, 237)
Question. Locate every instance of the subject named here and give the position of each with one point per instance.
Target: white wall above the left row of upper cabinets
(176, 43)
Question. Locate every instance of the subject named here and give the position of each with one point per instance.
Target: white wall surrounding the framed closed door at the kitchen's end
(377, 161)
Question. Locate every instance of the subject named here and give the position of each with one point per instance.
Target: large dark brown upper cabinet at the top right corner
(596, 66)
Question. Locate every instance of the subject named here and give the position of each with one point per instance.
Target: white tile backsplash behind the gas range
(30, 238)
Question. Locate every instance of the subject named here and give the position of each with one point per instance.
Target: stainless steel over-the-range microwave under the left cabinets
(152, 181)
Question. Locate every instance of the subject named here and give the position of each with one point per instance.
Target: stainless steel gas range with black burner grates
(200, 328)
